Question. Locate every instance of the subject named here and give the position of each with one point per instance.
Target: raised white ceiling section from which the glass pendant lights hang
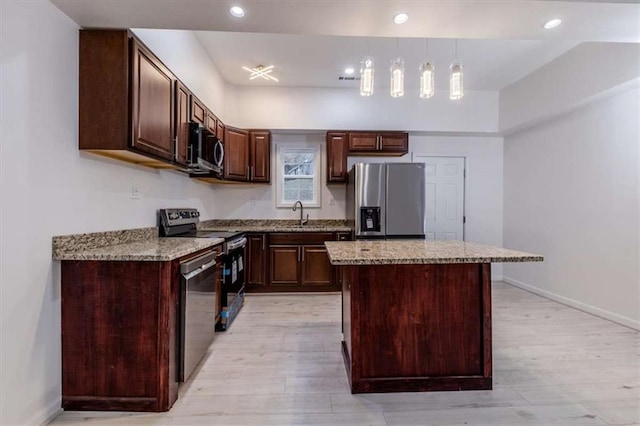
(317, 61)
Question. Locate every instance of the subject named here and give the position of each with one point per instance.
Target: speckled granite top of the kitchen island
(391, 252)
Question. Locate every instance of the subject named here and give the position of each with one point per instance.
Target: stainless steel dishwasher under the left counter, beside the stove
(198, 311)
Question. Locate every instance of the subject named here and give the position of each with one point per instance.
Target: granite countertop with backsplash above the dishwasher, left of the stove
(128, 245)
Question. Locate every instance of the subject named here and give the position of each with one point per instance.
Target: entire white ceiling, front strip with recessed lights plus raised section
(310, 42)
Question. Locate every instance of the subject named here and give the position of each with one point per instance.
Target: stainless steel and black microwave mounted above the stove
(205, 152)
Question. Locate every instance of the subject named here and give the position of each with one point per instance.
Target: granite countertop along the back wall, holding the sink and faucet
(274, 225)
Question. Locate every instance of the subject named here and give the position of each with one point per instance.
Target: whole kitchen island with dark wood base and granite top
(416, 315)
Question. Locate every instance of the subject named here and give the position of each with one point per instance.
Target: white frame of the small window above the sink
(317, 177)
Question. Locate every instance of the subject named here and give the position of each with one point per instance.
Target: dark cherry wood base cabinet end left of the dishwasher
(119, 335)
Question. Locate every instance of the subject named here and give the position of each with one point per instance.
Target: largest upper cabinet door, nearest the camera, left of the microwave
(152, 104)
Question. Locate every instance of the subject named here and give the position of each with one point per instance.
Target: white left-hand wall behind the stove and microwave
(49, 188)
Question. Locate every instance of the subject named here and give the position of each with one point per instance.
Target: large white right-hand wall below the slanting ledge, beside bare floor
(572, 193)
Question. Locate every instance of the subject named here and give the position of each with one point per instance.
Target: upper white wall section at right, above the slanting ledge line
(579, 76)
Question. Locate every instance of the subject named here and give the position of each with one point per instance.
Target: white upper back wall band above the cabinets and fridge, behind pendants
(324, 108)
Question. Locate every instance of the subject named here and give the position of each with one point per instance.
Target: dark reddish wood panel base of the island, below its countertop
(419, 327)
